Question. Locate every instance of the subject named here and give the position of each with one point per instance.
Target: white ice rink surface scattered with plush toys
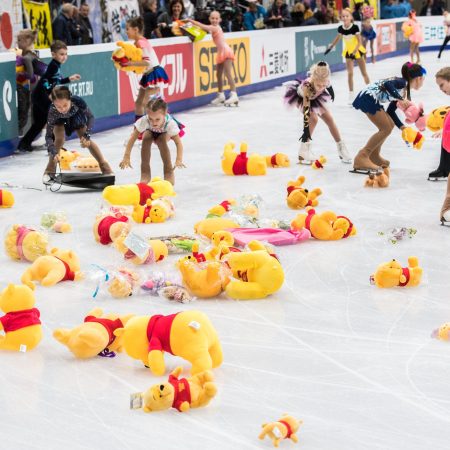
(354, 362)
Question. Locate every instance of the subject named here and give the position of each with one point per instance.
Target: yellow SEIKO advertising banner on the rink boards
(205, 64)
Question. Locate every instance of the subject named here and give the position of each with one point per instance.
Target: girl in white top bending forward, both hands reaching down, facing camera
(156, 126)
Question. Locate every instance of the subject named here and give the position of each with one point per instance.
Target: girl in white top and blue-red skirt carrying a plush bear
(155, 77)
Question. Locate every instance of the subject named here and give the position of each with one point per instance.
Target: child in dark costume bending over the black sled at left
(67, 114)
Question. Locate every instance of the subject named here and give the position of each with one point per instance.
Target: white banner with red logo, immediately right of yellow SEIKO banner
(273, 56)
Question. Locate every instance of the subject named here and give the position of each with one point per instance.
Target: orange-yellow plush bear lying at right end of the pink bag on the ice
(326, 226)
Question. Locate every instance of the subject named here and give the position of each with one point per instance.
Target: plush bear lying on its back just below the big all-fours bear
(180, 393)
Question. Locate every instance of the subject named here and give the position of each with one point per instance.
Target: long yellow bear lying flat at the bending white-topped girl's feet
(133, 194)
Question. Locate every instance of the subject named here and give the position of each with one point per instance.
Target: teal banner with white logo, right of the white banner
(310, 48)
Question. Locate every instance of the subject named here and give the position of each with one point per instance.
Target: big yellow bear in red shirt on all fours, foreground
(188, 334)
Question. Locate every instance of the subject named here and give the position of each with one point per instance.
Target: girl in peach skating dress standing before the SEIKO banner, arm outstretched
(224, 59)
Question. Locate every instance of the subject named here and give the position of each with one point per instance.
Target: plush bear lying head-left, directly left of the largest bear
(95, 336)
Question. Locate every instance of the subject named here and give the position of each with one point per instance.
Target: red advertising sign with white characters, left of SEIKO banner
(177, 60)
